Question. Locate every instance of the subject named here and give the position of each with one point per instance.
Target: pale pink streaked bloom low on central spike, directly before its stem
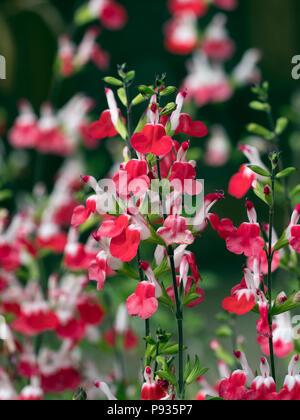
(176, 231)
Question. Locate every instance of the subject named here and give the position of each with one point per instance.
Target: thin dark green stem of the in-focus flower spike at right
(270, 260)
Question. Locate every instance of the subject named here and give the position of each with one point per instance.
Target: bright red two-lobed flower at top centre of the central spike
(152, 139)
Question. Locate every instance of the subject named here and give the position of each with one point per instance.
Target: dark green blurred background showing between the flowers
(28, 39)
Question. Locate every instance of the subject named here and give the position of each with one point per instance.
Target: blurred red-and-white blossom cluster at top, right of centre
(207, 80)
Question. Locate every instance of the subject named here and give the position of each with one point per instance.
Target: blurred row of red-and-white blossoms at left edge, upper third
(54, 132)
